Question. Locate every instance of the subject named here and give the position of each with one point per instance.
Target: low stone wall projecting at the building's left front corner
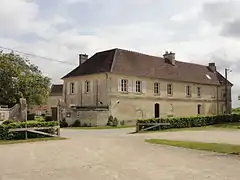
(90, 117)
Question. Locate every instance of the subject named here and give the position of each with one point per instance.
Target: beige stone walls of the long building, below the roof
(105, 90)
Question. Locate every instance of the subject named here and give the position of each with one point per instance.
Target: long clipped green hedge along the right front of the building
(187, 122)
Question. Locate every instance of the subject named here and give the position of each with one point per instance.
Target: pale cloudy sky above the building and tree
(199, 31)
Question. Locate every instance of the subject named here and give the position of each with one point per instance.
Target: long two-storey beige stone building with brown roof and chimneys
(130, 85)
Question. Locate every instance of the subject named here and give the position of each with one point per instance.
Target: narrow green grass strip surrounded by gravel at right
(214, 147)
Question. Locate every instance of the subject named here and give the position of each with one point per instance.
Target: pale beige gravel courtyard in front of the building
(115, 154)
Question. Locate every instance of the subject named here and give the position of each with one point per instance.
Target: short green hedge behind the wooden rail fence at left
(6, 135)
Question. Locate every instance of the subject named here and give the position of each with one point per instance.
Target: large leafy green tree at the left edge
(19, 78)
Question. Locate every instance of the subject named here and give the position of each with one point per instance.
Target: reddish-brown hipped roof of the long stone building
(126, 62)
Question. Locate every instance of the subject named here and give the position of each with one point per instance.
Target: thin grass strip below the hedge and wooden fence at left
(3, 142)
